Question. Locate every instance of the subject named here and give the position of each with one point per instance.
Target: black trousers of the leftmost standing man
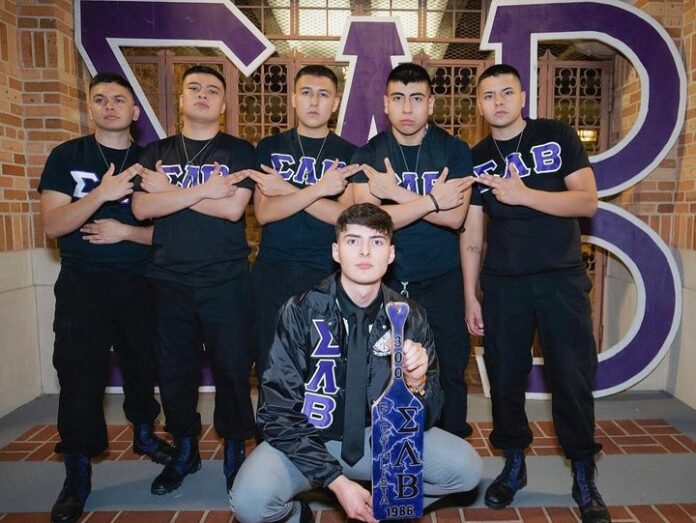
(94, 313)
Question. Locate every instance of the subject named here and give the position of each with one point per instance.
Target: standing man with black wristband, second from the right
(422, 177)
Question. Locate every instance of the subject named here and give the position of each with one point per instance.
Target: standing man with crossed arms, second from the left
(197, 196)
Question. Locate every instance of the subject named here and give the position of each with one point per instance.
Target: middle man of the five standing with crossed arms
(301, 191)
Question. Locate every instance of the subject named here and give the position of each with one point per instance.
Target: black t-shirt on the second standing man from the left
(190, 247)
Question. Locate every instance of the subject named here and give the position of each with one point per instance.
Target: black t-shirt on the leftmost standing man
(76, 168)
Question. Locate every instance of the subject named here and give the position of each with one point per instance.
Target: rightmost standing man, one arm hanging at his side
(534, 181)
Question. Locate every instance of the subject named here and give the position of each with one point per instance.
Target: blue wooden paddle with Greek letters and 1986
(397, 437)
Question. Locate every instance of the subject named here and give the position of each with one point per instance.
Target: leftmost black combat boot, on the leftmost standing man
(78, 484)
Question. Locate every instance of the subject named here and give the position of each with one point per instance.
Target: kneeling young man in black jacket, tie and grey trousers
(309, 438)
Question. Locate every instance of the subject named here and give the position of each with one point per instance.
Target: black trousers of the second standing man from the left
(186, 319)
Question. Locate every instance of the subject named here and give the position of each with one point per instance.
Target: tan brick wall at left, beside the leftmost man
(42, 84)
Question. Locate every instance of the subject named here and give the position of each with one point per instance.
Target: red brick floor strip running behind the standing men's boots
(646, 436)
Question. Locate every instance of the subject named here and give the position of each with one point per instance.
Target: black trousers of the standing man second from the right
(443, 300)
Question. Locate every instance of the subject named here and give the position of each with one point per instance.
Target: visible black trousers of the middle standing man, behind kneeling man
(273, 283)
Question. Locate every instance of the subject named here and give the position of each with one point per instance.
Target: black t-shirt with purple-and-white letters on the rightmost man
(521, 240)
